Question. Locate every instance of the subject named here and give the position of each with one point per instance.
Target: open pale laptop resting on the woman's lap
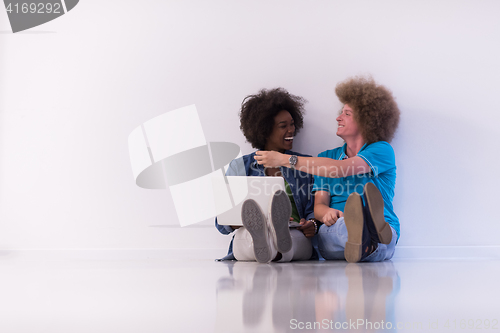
(231, 191)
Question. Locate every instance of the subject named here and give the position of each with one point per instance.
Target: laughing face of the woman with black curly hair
(281, 137)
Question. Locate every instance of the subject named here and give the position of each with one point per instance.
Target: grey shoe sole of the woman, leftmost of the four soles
(255, 222)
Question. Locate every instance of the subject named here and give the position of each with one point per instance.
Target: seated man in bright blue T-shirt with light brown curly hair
(354, 184)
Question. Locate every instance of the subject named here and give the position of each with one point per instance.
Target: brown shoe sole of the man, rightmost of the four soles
(376, 207)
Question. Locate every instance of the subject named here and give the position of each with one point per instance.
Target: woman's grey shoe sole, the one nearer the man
(280, 211)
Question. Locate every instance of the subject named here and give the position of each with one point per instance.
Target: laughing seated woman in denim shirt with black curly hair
(269, 120)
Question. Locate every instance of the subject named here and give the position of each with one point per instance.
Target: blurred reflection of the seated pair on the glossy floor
(305, 296)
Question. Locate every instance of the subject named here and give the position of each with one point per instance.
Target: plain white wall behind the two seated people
(73, 89)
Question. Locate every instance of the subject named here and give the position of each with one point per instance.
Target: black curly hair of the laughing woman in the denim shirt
(258, 112)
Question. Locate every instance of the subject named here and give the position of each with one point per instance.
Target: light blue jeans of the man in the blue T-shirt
(331, 243)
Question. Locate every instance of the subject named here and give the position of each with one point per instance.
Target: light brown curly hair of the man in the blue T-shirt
(375, 109)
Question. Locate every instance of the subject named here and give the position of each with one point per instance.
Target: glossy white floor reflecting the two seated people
(187, 291)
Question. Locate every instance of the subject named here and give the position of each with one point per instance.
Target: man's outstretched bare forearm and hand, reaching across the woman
(319, 166)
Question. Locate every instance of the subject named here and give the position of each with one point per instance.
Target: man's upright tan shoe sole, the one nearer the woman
(353, 218)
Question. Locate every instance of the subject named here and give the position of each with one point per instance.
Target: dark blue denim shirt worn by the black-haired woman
(301, 184)
